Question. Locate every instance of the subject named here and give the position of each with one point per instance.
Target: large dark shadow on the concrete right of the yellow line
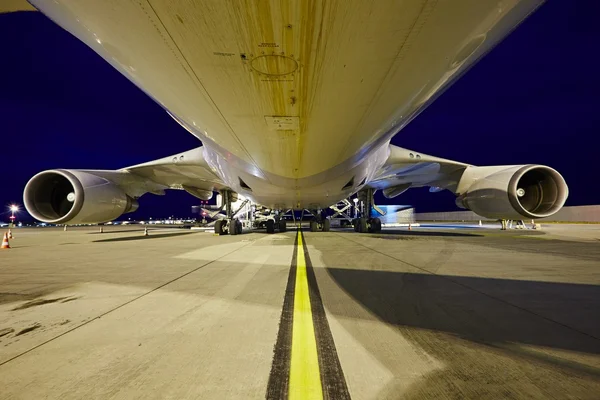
(483, 310)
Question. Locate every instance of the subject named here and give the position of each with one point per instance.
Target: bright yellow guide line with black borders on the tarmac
(305, 361)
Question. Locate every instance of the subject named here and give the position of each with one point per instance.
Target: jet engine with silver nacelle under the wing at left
(62, 196)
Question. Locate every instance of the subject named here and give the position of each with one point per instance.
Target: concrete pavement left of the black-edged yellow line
(150, 324)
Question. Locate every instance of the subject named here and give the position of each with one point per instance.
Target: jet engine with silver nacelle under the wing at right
(512, 192)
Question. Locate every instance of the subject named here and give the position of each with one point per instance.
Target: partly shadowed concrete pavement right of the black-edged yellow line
(446, 314)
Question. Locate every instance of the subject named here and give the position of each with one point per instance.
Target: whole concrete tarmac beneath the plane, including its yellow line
(443, 311)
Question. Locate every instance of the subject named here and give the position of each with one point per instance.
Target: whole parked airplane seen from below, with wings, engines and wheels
(295, 103)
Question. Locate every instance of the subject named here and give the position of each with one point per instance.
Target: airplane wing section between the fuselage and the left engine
(184, 171)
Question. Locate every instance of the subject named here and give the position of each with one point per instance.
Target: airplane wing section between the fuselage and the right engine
(404, 169)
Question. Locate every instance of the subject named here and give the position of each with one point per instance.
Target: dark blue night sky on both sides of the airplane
(533, 99)
